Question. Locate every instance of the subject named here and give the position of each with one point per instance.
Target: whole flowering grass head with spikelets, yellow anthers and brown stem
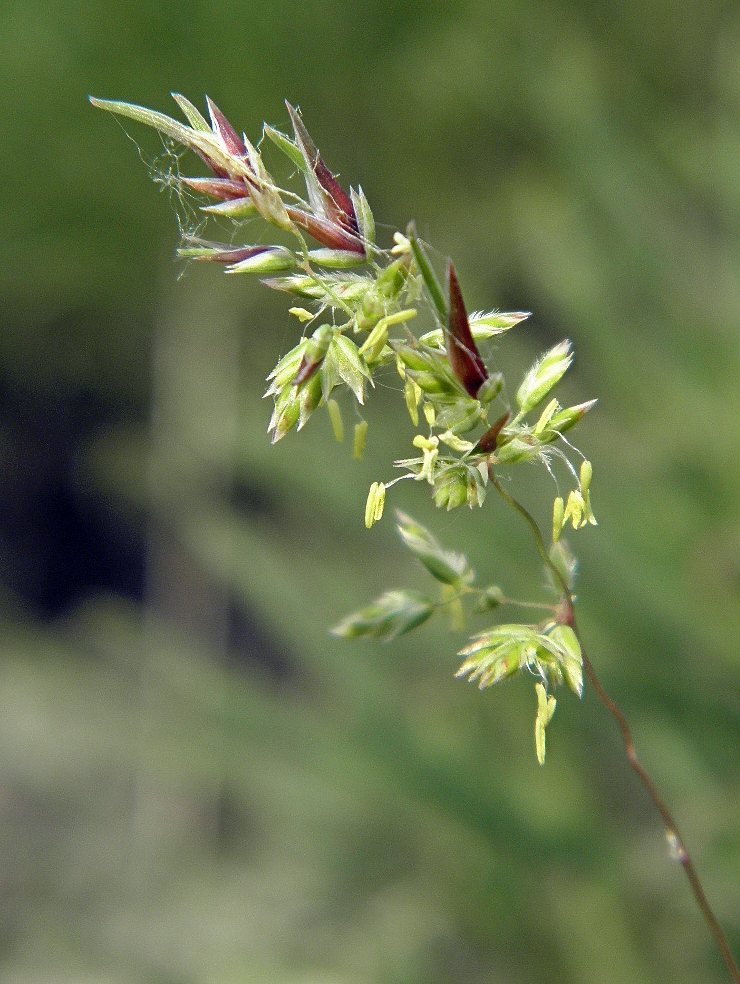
(363, 297)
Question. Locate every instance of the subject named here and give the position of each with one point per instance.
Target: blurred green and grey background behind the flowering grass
(198, 784)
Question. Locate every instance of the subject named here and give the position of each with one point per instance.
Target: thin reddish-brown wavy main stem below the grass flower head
(676, 842)
